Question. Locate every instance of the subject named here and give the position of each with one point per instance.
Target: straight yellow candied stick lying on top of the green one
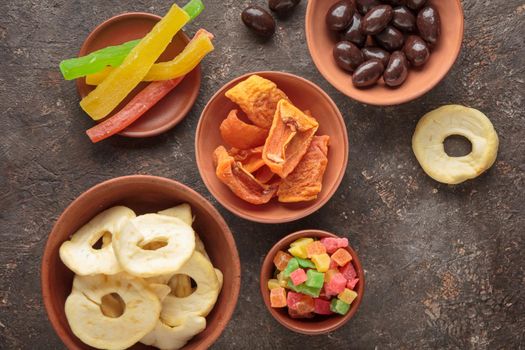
(112, 91)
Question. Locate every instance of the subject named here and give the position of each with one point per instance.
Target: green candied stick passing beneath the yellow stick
(113, 56)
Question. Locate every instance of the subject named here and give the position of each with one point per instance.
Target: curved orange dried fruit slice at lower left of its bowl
(240, 181)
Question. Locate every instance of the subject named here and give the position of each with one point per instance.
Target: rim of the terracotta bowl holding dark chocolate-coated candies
(403, 98)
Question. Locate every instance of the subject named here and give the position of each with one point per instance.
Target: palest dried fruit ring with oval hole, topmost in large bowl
(144, 230)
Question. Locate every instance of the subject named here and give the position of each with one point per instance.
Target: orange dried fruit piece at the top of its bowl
(258, 98)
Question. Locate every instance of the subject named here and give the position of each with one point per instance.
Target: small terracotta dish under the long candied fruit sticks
(172, 109)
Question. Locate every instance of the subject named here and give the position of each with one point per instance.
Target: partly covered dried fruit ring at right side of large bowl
(203, 298)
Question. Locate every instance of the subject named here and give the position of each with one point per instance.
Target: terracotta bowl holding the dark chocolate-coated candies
(321, 42)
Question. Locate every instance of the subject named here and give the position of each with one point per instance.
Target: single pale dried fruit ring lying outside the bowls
(436, 126)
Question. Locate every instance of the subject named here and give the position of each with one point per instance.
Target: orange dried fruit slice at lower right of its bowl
(305, 182)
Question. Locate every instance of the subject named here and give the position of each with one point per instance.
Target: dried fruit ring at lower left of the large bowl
(89, 324)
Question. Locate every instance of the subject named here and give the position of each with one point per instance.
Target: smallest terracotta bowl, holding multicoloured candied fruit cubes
(318, 324)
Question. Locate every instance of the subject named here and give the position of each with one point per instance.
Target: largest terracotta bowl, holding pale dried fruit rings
(143, 194)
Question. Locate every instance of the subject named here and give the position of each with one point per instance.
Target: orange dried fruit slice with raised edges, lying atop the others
(291, 134)
